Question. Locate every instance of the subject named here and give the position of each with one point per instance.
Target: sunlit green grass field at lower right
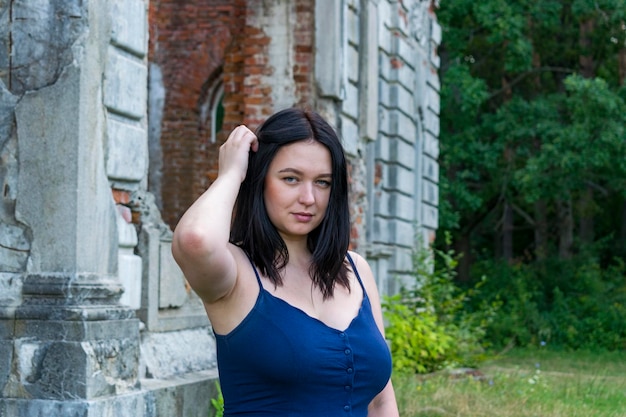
(522, 383)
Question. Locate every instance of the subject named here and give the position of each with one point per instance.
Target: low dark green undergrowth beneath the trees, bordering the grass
(570, 304)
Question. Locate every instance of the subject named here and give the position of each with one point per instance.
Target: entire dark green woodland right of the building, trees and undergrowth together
(533, 158)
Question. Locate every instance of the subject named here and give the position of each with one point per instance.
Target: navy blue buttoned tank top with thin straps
(281, 362)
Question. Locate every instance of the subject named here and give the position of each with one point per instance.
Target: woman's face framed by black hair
(297, 188)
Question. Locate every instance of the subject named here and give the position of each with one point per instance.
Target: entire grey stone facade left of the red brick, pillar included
(95, 317)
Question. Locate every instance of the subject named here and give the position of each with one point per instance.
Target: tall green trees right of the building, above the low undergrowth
(532, 127)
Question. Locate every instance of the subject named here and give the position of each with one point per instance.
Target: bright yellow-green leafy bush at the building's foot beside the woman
(427, 323)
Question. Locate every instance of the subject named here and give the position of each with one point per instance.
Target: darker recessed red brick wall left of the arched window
(188, 41)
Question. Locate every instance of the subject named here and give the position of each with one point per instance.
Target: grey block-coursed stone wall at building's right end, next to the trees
(404, 193)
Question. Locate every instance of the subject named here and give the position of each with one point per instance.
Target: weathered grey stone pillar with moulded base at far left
(68, 347)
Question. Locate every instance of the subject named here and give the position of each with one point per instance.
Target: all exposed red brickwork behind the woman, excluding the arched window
(195, 42)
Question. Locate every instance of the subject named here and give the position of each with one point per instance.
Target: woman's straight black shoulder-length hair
(252, 229)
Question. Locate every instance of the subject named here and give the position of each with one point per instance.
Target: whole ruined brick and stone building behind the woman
(111, 115)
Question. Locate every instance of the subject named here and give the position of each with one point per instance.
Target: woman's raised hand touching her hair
(235, 152)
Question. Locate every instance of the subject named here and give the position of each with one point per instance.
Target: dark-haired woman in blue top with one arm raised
(296, 316)
